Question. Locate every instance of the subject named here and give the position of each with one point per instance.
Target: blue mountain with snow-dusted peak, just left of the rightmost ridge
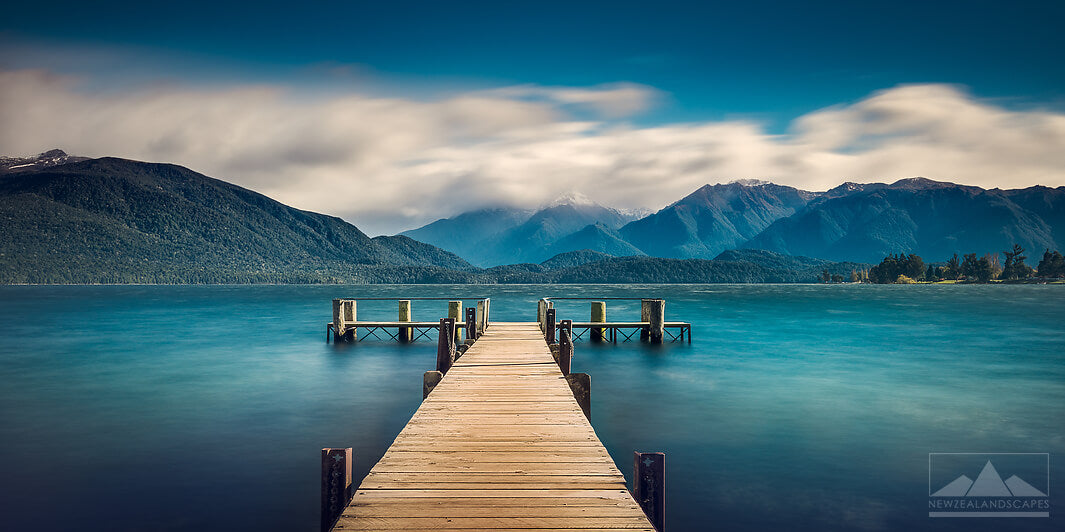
(713, 220)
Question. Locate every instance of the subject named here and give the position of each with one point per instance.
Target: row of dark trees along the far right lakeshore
(905, 269)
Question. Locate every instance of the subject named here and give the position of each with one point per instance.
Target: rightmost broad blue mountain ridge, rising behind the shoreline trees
(932, 220)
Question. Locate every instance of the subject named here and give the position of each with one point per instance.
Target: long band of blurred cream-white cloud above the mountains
(389, 164)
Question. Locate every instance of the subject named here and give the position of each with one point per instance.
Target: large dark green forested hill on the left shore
(112, 221)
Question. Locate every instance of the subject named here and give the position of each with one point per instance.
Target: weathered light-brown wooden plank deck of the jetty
(500, 444)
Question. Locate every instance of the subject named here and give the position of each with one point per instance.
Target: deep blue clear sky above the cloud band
(715, 60)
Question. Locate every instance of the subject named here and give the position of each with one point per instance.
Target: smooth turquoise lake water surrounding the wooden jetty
(796, 408)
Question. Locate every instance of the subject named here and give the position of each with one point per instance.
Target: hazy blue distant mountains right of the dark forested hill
(857, 223)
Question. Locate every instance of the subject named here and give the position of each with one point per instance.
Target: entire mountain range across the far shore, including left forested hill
(110, 221)
